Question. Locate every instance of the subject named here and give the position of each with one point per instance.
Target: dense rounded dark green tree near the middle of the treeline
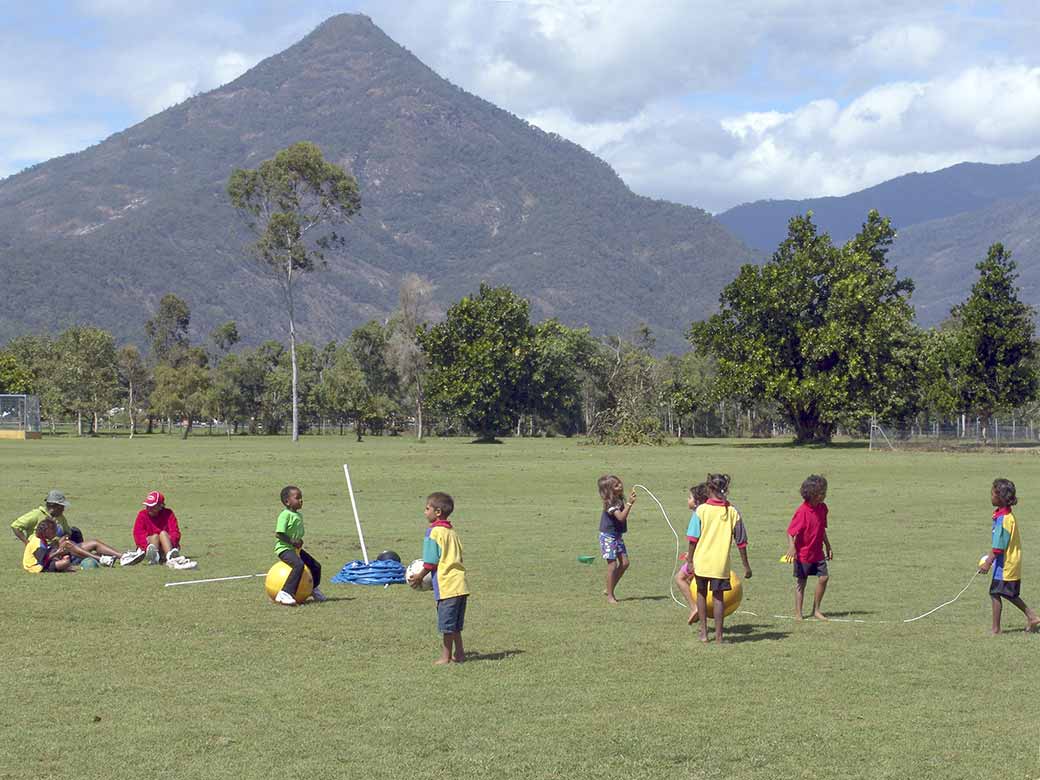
(478, 360)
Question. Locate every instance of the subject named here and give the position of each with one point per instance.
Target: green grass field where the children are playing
(109, 674)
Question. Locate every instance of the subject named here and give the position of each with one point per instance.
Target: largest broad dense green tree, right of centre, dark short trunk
(825, 332)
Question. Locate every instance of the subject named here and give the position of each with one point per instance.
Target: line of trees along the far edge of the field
(820, 339)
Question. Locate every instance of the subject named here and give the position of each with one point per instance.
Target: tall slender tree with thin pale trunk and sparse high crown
(289, 203)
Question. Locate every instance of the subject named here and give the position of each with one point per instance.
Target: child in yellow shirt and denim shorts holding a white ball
(443, 556)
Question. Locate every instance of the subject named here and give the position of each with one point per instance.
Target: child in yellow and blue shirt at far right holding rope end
(1006, 557)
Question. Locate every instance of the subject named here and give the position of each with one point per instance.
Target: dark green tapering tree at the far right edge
(994, 345)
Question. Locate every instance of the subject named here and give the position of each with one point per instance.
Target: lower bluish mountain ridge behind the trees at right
(946, 221)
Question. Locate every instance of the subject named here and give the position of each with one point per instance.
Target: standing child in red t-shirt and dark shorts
(810, 549)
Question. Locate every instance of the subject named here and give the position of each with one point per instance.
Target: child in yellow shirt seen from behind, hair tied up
(715, 525)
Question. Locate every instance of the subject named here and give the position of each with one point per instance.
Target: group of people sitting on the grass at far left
(53, 544)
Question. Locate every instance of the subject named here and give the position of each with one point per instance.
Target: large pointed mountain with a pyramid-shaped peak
(453, 189)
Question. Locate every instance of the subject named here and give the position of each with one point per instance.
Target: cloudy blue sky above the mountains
(707, 103)
